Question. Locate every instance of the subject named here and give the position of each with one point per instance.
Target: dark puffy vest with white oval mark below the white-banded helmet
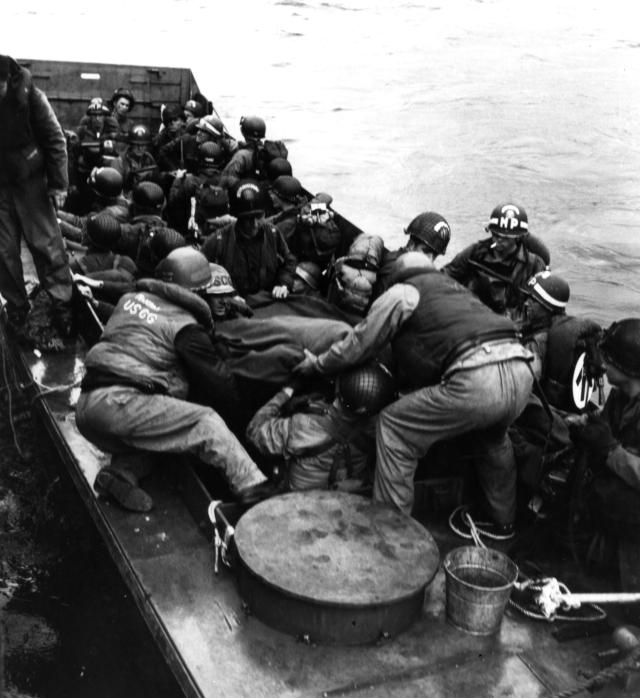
(571, 365)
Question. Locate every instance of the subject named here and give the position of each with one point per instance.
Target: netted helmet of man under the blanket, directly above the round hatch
(366, 389)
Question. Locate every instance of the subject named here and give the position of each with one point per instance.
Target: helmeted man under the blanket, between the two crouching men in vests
(325, 443)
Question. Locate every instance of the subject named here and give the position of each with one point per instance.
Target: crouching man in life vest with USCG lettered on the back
(134, 392)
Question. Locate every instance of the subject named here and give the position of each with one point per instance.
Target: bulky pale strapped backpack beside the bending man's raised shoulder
(353, 276)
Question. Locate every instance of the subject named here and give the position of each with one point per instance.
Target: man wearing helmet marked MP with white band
(497, 268)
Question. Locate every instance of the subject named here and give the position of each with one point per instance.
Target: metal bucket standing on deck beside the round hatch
(478, 584)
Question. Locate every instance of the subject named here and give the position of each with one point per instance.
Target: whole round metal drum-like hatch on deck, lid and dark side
(333, 566)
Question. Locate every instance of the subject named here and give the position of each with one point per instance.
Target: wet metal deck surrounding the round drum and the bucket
(214, 649)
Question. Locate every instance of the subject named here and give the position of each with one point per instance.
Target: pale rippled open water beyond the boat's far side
(397, 107)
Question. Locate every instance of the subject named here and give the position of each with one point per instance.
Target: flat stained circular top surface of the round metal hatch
(336, 548)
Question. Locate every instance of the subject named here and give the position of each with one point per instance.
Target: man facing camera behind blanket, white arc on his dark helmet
(254, 251)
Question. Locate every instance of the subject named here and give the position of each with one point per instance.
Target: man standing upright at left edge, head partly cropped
(33, 184)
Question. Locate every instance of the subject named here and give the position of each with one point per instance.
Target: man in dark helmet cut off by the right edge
(610, 441)
